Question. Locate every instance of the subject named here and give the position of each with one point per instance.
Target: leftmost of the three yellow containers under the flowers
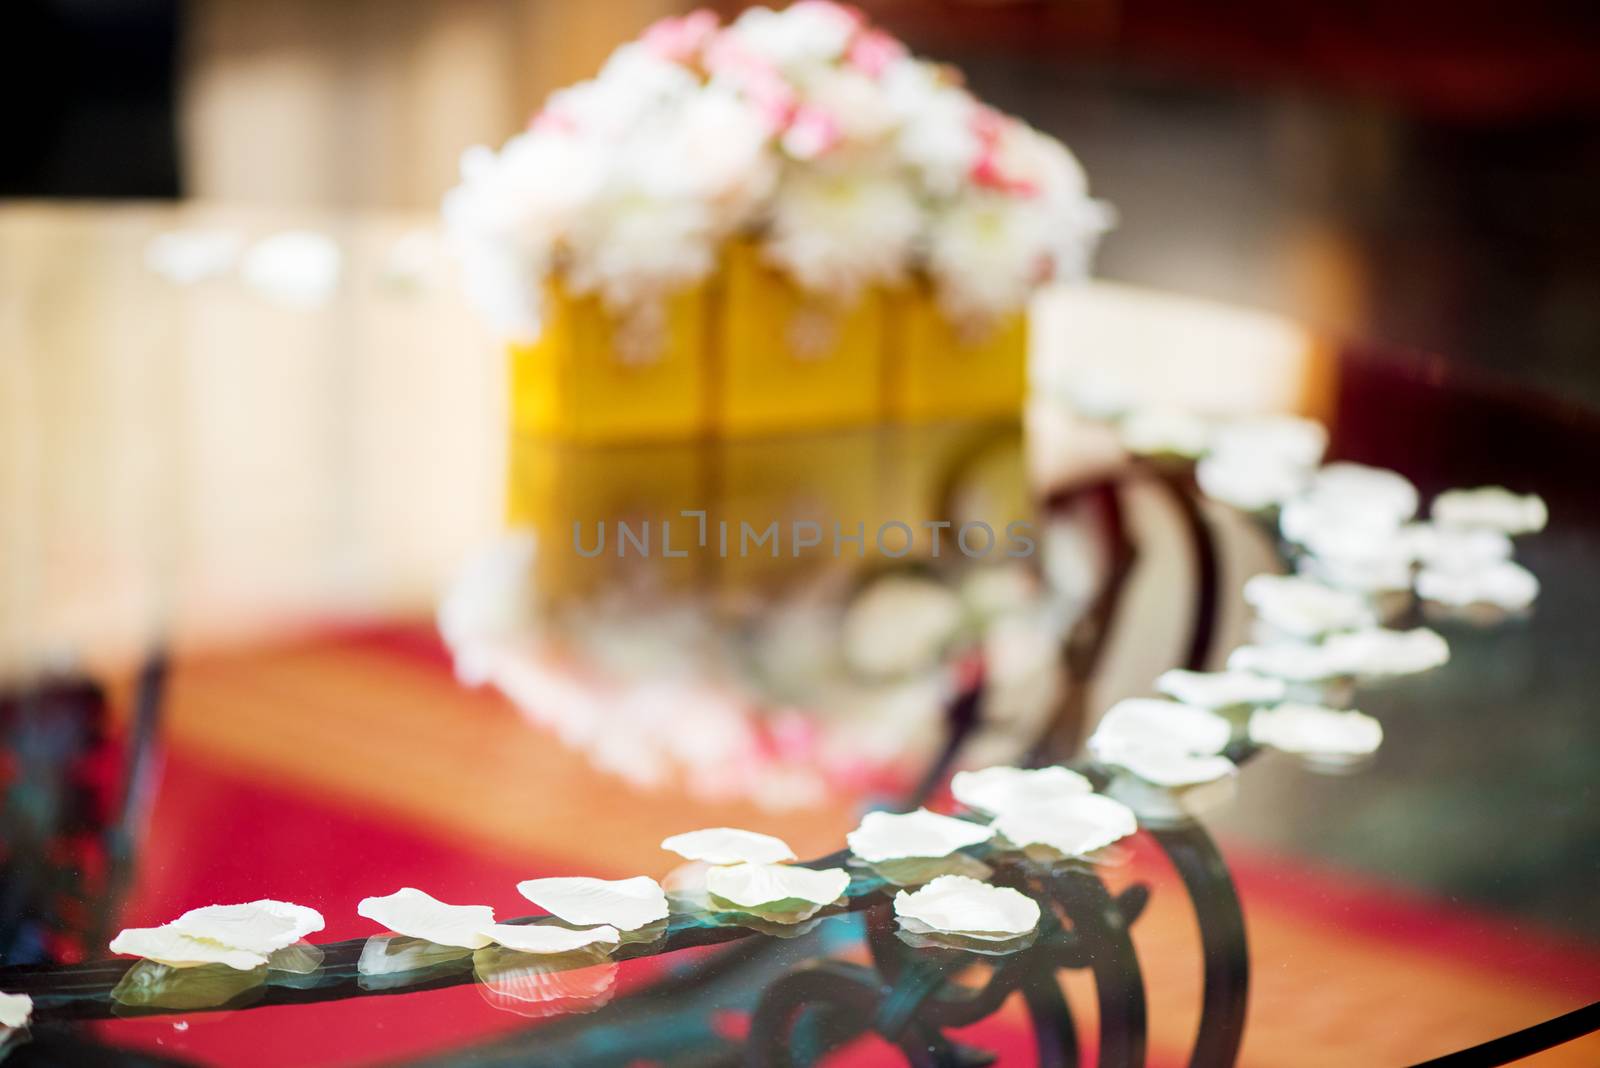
(586, 381)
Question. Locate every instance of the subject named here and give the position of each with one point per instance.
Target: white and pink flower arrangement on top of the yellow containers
(850, 162)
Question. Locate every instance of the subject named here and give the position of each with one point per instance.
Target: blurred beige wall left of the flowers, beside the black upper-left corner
(372, 102)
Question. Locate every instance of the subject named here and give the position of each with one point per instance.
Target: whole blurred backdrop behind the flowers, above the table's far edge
(1417, 172)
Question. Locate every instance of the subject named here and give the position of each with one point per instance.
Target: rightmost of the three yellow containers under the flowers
(937, 370)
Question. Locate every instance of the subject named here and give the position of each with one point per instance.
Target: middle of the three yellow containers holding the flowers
(788, 361)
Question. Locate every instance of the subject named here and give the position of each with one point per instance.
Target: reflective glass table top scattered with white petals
(226, 528)
